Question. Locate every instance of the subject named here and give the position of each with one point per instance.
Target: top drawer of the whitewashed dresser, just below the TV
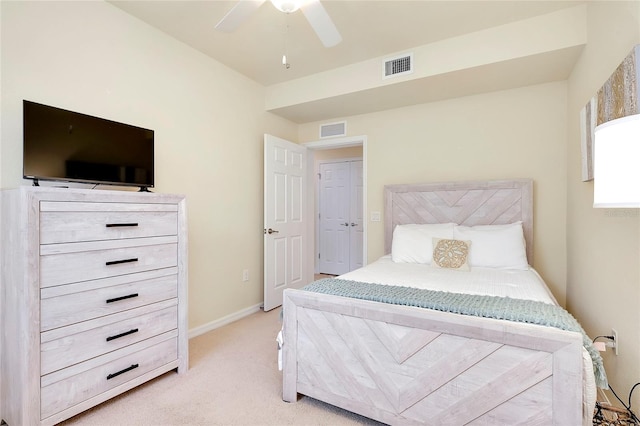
(72, 226)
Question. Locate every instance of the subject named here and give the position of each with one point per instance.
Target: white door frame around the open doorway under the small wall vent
(343, 142)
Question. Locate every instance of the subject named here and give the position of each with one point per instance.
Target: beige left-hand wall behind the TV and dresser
(209, 123)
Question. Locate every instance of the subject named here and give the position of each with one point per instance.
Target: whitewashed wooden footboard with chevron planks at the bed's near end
(405, 365)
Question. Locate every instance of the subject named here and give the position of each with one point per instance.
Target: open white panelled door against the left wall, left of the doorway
(285, 260)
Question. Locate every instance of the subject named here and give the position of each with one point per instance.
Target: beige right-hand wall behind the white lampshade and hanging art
(603, 245)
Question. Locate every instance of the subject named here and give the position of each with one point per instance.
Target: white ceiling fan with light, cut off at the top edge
(313, 10)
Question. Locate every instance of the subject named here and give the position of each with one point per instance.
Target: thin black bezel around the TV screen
(95, 182)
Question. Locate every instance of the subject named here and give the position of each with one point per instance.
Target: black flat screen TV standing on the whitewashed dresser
(62, 145)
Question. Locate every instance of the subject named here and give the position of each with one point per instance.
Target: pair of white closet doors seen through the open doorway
(341, 230)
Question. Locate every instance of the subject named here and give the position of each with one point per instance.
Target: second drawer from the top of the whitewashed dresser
(75, 262)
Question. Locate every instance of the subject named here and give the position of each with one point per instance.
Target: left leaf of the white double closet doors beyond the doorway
(334, 217)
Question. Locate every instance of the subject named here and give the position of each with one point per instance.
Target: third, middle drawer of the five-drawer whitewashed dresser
(72, 303)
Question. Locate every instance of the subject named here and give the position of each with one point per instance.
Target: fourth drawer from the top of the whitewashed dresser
(70, 345)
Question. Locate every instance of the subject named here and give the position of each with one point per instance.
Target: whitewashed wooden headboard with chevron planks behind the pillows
(465, 203)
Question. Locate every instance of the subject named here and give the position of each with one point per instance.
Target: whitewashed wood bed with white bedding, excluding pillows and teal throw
(403, 364)
